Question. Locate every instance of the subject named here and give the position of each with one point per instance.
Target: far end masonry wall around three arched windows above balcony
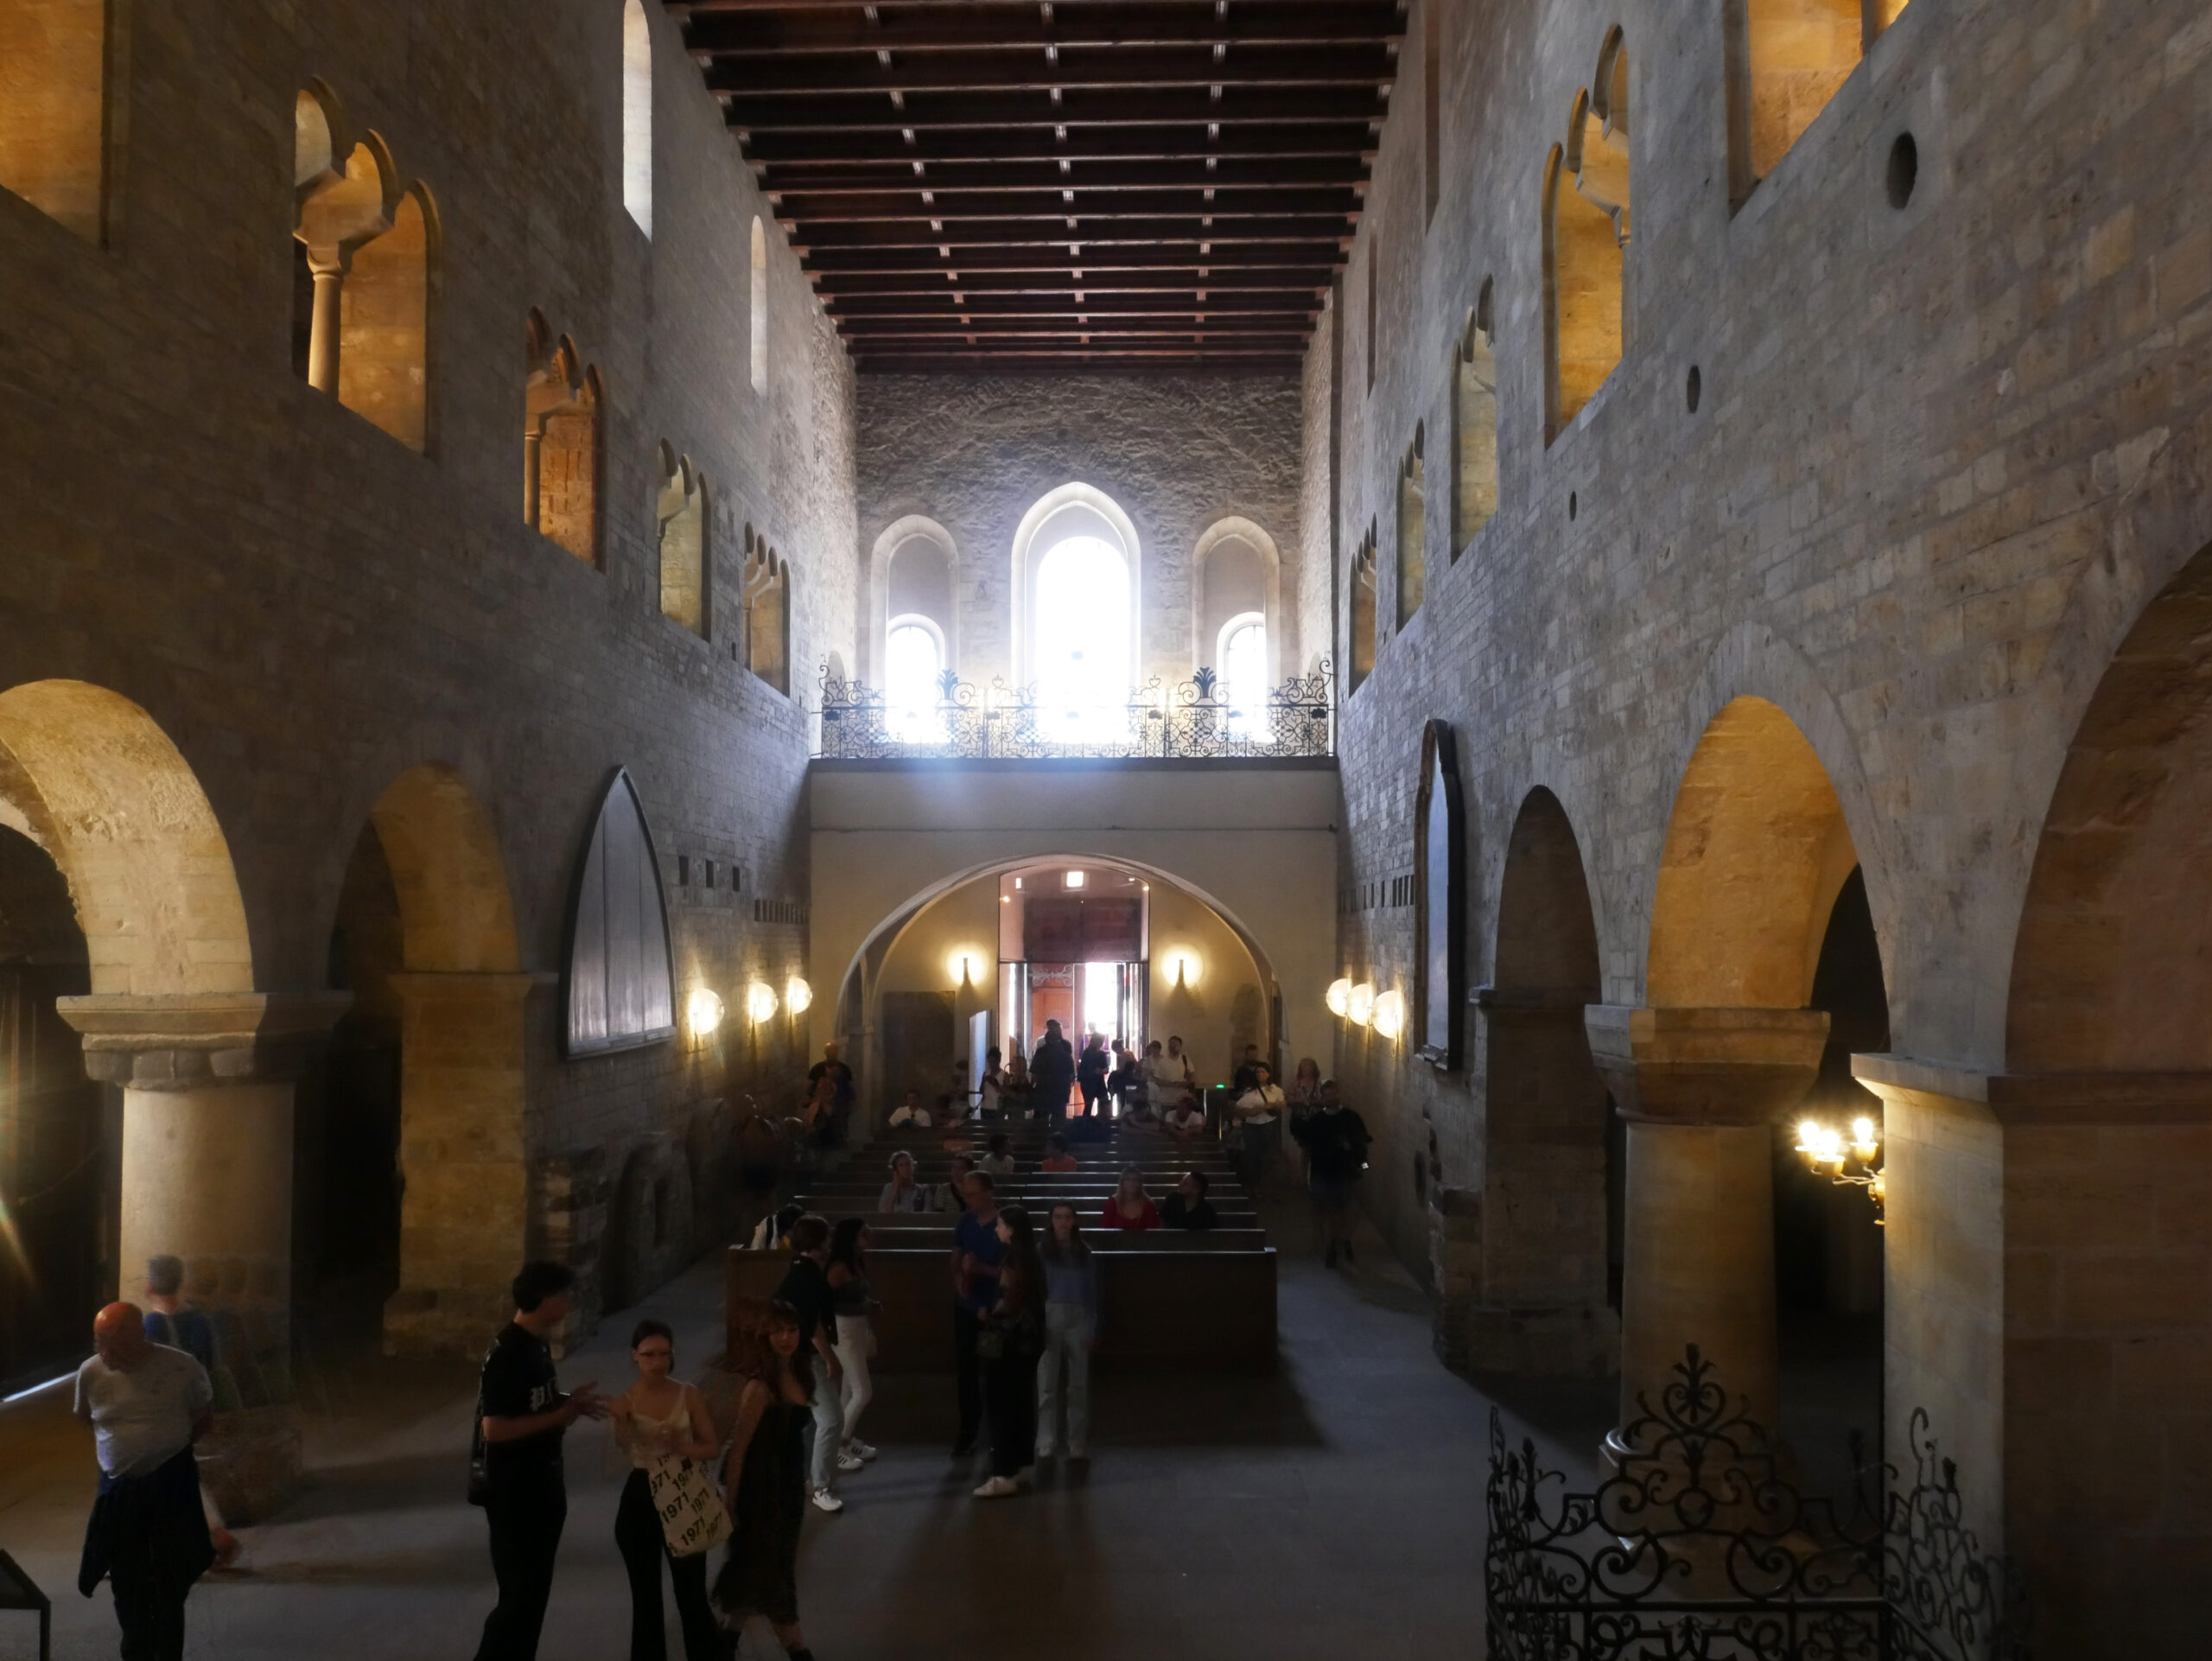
(1176, 452)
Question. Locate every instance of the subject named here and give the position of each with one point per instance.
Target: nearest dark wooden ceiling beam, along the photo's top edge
(1025, 28)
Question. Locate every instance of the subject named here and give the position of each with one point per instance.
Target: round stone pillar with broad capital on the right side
(1700, 1091)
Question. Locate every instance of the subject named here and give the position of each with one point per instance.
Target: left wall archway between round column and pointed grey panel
(426, 941)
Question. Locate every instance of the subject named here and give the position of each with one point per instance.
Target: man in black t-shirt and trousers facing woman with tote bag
(523, 1417)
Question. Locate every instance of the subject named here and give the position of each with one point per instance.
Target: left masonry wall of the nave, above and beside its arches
(309, 607)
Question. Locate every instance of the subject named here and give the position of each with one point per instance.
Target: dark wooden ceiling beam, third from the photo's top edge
(1036, 109)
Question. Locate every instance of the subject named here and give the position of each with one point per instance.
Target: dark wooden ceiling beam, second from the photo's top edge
(1074, 70)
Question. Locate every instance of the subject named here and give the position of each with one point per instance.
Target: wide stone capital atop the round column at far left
(194, 1041)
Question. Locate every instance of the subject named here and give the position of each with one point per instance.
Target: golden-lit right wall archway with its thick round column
(1755, 859)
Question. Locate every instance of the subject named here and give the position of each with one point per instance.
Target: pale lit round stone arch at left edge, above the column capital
(92, 780)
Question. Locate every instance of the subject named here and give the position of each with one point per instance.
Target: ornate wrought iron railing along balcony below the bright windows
(1189, 720)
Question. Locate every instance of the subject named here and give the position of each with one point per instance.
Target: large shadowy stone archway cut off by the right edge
(2098, 1153)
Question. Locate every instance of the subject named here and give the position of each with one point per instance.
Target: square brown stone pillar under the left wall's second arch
(466, 1202)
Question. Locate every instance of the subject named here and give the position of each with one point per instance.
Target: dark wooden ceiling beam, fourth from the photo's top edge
(1331, 140)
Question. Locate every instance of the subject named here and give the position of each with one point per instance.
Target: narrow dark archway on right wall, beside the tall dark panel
(1550, 1215)
